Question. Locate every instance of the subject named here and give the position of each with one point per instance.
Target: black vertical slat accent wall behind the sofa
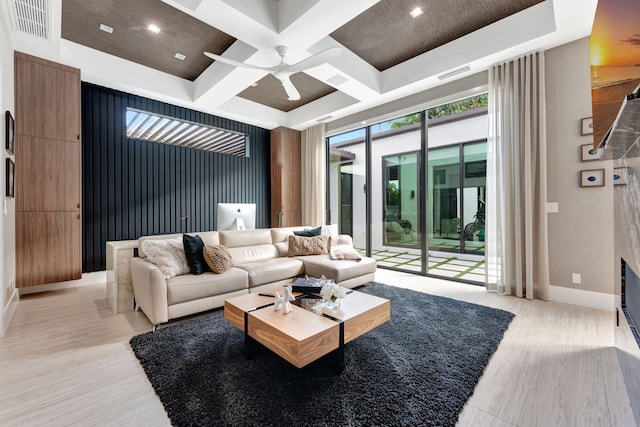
(133, 188)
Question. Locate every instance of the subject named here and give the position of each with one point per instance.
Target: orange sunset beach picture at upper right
(615, 60)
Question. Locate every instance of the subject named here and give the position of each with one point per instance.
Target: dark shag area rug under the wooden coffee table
(417, 369)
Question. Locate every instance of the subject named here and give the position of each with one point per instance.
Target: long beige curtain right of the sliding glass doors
(517, 242)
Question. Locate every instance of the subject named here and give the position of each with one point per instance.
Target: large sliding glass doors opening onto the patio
(413, 196)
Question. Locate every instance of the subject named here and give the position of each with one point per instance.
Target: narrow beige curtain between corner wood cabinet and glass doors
(313, 175)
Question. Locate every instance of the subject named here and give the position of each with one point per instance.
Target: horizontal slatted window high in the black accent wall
(152, 127)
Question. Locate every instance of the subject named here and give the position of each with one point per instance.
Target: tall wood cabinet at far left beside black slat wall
(48, 172)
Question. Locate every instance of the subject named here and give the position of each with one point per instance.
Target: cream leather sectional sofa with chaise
(260, 263)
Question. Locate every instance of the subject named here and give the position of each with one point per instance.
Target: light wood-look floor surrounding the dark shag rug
(65, 360)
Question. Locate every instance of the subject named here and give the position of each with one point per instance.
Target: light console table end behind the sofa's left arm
(119, 283)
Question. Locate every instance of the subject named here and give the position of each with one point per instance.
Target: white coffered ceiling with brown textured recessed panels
(386, 53)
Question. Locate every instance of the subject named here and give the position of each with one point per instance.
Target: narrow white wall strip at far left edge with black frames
(8, 294)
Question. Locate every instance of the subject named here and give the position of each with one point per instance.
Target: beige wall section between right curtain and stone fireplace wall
(581, 233)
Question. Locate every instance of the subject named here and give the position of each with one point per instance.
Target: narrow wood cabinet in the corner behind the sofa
(286, 195)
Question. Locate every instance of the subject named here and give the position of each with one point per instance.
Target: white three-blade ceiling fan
(283, 71)
